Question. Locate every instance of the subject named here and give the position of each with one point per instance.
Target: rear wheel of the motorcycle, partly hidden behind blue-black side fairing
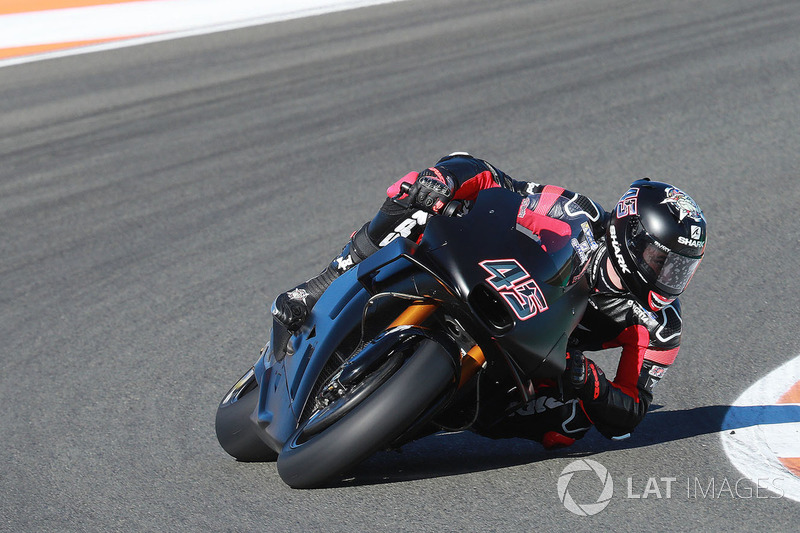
(236, 431)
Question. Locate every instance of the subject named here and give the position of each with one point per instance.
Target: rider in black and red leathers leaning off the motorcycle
(655, 240)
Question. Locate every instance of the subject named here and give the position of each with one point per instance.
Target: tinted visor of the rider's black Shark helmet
(667, 270)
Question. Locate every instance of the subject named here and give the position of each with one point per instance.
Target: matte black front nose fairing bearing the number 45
(496, 267)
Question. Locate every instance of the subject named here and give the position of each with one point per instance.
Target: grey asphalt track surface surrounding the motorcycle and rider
(153, 200)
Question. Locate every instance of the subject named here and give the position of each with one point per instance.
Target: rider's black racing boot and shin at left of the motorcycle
(291, 308)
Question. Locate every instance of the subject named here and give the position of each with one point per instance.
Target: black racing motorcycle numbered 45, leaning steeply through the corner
(446, 333)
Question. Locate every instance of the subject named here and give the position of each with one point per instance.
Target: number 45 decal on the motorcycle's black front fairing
(514, 284)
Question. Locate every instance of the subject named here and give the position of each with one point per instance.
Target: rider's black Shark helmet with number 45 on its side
(656, 239)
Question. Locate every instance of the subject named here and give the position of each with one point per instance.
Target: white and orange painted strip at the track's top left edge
(32, 30)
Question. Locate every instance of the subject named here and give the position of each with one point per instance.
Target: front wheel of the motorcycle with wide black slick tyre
(398, 394)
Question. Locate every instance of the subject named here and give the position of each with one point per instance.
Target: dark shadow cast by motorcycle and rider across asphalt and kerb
(448, 454)
